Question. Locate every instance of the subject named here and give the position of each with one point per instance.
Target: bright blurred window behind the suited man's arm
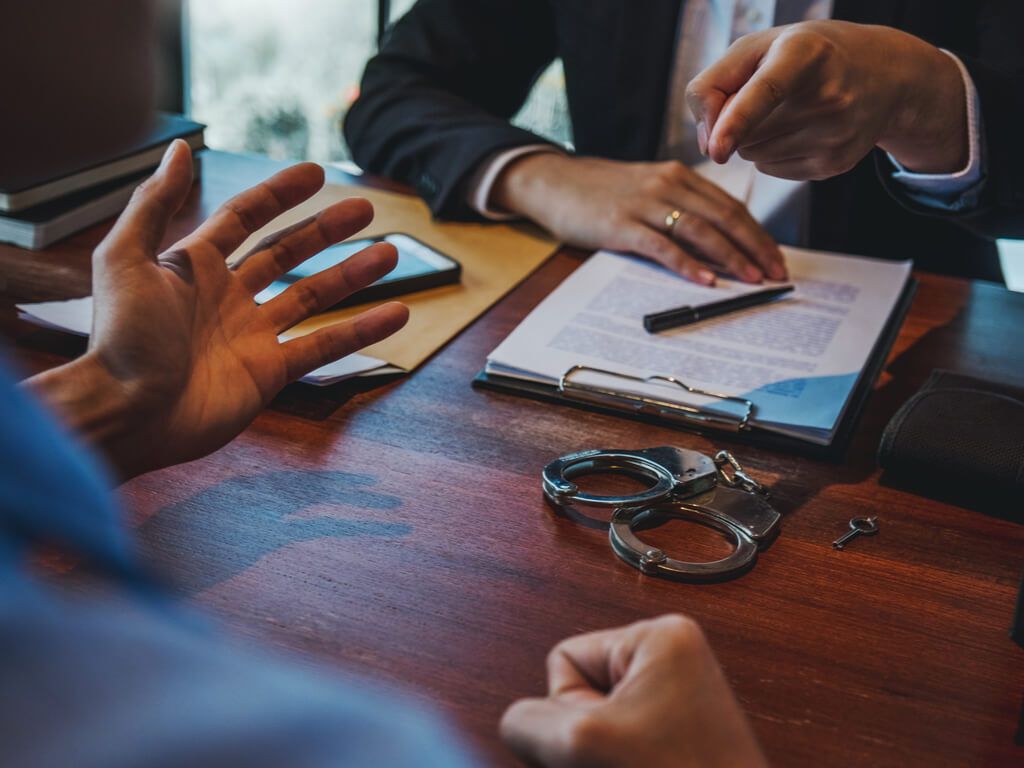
(277, 77)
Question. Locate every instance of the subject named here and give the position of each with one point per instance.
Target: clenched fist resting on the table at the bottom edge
(648, 695)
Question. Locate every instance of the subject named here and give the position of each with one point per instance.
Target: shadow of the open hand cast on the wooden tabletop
(221, 532)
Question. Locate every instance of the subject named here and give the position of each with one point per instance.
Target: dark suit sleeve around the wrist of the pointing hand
(997, 67)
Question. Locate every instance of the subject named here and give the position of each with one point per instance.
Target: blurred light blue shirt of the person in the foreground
(123, 677)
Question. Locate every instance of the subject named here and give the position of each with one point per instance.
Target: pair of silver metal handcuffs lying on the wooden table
(688, 486)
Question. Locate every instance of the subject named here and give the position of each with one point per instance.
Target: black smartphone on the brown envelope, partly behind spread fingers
(420, 267)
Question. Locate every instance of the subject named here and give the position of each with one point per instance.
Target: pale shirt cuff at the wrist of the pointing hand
(947, 190)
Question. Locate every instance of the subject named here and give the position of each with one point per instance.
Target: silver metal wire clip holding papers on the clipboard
(571, 388)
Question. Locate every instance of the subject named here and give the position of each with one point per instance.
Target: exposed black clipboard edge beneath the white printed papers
(752, 436)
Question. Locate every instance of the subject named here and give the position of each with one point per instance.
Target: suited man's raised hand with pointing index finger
(812, 100)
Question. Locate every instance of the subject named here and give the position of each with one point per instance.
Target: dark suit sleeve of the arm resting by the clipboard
(437, 101)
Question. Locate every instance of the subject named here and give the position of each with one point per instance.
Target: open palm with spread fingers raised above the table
(182, 359)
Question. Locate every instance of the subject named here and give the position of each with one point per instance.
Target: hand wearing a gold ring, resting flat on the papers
(593, 203)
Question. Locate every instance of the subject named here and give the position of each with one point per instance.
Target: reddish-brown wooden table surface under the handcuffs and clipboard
(400, 532)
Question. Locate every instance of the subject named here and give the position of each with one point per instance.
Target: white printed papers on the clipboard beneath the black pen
(798, 359)
